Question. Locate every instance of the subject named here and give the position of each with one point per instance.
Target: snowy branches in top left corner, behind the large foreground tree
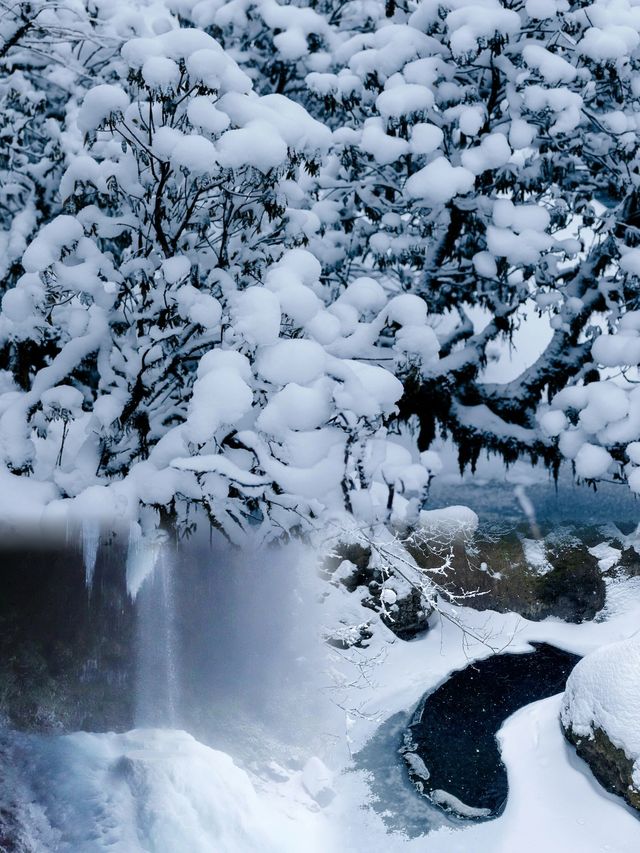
(51, 53)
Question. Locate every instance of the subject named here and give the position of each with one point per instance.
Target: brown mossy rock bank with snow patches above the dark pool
(496, 568)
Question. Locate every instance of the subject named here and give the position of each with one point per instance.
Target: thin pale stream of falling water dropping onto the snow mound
(157, 676)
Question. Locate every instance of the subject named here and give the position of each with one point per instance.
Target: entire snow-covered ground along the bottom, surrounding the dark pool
(161, 791)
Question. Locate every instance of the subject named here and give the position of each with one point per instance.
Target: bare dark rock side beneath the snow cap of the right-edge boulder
(609, 764)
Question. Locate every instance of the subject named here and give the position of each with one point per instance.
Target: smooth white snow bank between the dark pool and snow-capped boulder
(554, 804)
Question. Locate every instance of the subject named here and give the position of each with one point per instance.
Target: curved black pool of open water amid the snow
(451, 749)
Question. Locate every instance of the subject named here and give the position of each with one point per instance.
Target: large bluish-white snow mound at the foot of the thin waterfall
(155, 791)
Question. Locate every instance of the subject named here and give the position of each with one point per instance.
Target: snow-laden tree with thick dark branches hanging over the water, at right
(489, 161)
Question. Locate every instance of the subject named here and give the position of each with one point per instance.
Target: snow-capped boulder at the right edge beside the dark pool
(600, 716)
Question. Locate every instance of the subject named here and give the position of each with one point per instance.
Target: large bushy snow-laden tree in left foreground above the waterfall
(188, 351)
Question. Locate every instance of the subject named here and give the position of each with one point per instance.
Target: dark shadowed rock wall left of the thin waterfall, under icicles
(65, 653)
